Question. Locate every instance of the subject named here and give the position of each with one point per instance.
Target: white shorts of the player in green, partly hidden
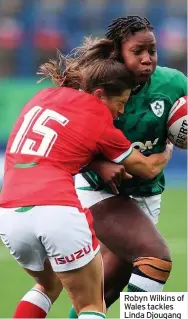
(150, 205)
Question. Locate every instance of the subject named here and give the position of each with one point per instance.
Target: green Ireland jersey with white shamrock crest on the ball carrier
(144, 124)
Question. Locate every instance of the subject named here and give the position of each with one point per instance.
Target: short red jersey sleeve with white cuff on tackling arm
(114, 145)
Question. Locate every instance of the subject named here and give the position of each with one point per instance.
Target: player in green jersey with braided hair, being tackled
(136, 255)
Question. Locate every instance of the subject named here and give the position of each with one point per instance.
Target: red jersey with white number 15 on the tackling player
(57, 133)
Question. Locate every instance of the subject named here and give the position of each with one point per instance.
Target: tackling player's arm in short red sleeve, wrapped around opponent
(117, 148)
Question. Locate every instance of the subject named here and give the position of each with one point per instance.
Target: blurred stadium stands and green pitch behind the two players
(30, 32)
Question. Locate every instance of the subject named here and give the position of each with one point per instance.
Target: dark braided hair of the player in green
(121, 28)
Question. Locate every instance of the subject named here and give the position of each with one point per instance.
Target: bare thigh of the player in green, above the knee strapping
(126, 230)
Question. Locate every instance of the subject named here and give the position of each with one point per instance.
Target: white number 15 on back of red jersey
(25, 145)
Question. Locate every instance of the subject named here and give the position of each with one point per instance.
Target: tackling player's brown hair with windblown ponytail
(94, 65)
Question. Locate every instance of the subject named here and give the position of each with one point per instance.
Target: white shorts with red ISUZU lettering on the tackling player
(63, 234)
